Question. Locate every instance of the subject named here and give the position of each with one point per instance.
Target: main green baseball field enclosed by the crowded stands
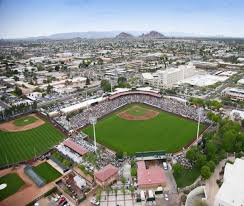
(164, 131)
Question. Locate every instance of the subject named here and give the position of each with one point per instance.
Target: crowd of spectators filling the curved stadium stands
(103, 108)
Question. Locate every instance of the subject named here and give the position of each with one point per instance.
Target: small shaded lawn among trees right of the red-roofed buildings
(187, 177)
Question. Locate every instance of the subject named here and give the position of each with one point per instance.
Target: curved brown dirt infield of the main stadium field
(147, 115)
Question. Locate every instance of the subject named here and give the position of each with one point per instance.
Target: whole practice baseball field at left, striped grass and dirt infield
(24, 138)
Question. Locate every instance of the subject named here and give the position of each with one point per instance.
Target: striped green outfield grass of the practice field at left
(24, 145)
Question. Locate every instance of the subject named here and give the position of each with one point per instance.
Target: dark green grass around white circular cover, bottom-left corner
(14, 183)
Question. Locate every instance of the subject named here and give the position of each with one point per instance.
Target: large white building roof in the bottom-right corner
(231, 193)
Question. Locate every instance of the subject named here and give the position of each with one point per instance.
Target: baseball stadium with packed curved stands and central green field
(135, 121)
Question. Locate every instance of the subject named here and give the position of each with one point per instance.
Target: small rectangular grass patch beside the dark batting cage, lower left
(47, 172)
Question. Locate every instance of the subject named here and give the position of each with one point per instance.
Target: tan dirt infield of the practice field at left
(11, 127)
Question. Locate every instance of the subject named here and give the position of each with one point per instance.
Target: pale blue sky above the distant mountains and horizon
(24, 18)
